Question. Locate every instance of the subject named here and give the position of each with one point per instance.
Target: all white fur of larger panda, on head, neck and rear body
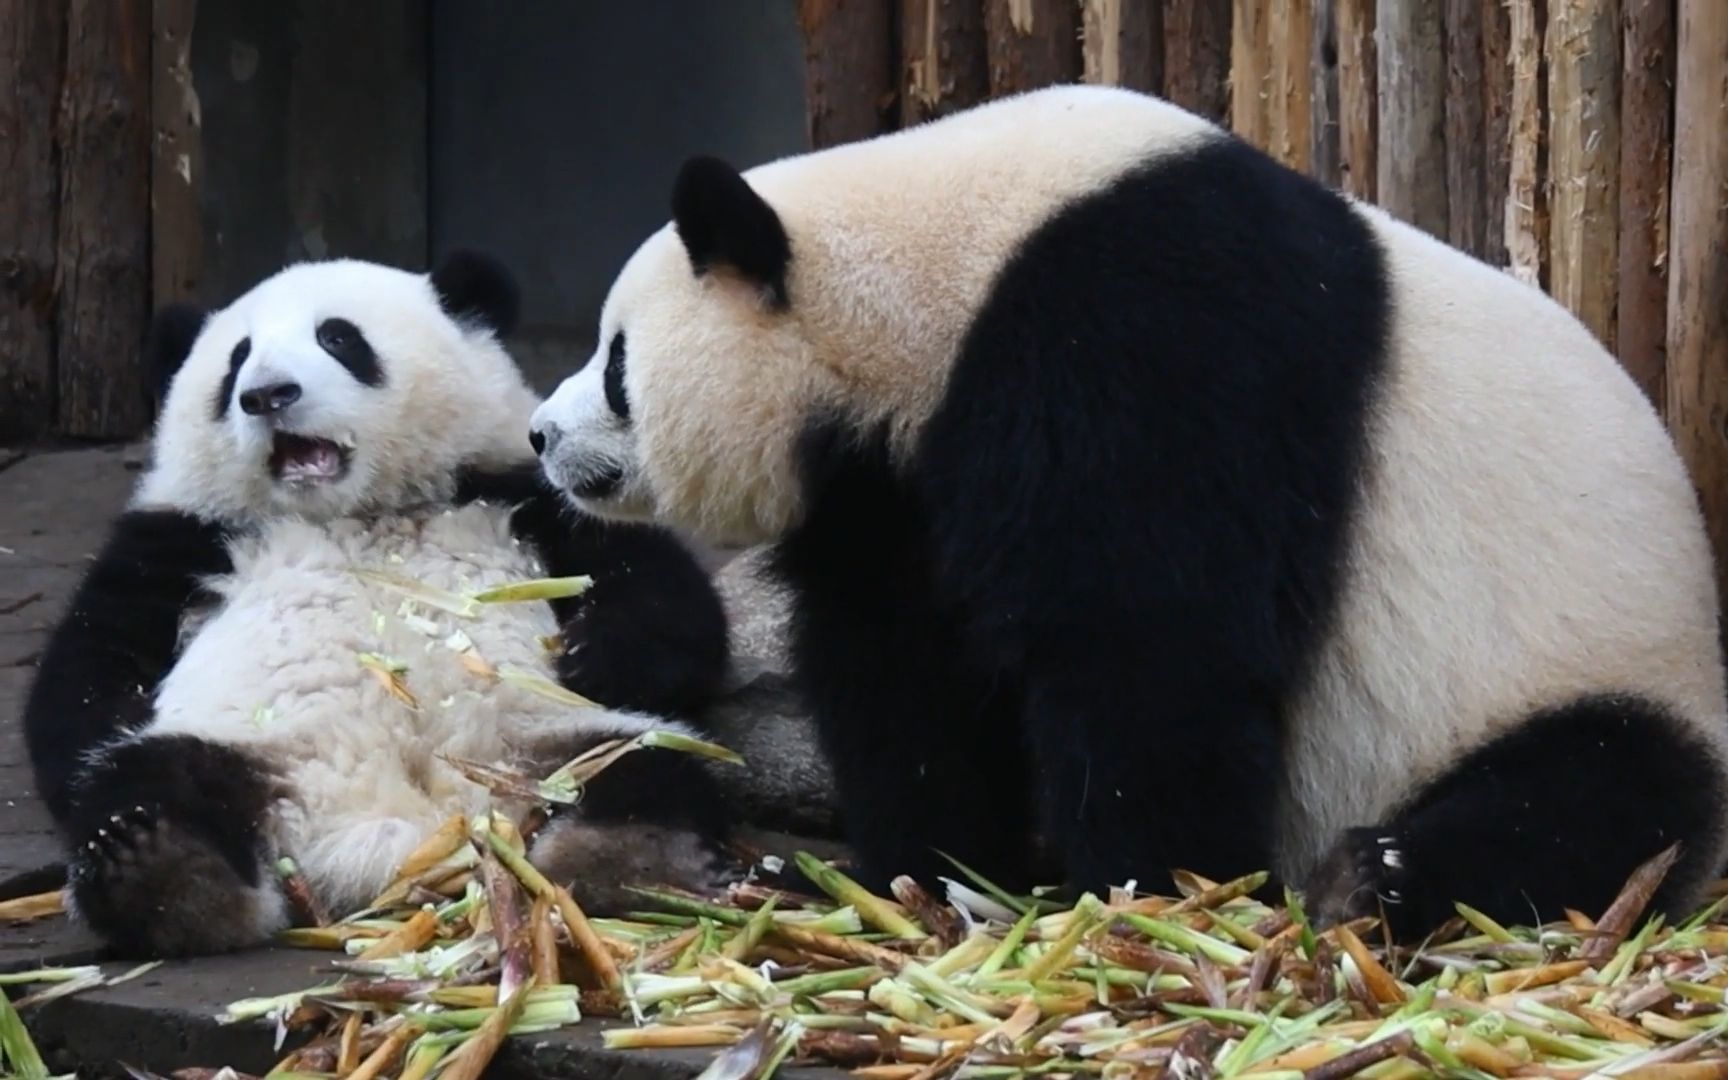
(1528, 533)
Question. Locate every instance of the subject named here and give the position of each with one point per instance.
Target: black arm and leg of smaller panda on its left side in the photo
(165, 816)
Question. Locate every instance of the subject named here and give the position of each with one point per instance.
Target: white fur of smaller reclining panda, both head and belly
(274, 666)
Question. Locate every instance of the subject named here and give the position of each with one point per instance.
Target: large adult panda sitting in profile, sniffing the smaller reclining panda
(1147, 495)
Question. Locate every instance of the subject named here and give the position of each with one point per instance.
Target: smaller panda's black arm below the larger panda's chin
(651, 635)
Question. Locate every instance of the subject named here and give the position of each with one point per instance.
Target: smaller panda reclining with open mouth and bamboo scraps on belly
(203, 708)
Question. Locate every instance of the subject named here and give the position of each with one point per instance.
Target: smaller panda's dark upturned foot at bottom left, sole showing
(155, 887)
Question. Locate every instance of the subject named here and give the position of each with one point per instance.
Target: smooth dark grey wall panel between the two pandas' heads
(557, 130)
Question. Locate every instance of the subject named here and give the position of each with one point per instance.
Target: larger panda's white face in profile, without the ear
(683, 364)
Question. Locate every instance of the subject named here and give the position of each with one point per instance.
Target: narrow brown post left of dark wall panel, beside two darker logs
(177, 156)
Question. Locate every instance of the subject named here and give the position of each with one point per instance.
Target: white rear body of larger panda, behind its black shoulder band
(1528, 537)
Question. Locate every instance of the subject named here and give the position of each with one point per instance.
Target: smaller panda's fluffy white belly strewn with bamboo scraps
(277, 670)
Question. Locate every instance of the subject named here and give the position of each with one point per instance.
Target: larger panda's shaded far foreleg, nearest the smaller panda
(924, 742)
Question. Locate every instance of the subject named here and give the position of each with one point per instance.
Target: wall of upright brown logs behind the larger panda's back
(1580, 146)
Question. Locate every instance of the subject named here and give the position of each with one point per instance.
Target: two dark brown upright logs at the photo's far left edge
(75, 258)
